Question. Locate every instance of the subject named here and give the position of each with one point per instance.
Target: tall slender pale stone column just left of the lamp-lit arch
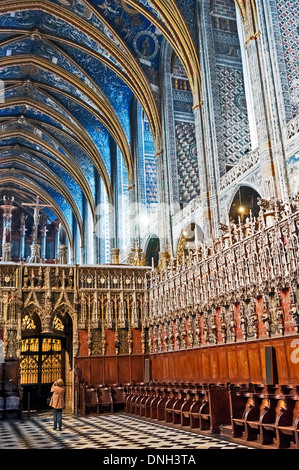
(206, 111)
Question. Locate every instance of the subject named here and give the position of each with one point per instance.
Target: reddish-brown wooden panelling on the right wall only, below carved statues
(235, 363)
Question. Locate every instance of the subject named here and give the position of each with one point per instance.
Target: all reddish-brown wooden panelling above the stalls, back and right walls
(234, 363)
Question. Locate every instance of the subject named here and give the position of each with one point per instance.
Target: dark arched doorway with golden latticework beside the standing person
(45, 357)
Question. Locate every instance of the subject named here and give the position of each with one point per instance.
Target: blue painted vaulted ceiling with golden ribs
(71, 70)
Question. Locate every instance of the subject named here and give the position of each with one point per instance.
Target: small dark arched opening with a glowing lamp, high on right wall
(244, 203)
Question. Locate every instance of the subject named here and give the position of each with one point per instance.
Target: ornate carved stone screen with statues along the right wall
(251, 260)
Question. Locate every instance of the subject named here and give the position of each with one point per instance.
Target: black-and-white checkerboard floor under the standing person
(113, 431)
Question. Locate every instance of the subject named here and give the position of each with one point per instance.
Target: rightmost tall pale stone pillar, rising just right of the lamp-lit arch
(267, 114)
